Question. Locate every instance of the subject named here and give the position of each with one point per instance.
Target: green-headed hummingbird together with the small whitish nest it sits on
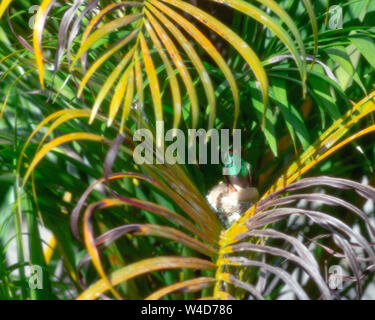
(232, 196)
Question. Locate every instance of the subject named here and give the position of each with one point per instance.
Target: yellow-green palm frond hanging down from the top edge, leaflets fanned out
(140, 18)
